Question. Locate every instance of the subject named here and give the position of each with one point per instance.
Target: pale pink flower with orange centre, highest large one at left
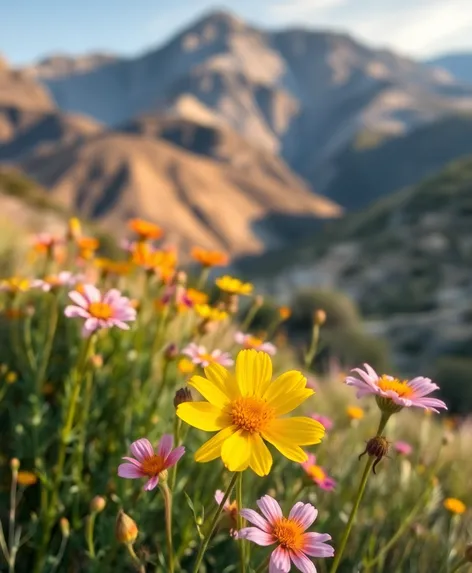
(100, 311)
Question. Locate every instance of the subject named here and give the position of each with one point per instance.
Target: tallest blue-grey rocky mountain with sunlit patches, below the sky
(307, 95)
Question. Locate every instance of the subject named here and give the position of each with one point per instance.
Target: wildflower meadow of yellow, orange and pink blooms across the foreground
(147, 425)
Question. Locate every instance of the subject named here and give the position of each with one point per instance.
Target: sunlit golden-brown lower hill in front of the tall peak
(240, 206)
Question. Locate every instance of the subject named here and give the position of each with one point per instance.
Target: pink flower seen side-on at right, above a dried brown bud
(403, 393)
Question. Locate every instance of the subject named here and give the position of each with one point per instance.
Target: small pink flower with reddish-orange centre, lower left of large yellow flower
(147, 463)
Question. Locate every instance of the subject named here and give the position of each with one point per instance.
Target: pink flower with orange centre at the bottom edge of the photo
(289, 533)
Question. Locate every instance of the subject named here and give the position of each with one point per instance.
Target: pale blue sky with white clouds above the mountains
(32, 29)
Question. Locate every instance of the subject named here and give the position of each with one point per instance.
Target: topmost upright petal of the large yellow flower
(253, 372)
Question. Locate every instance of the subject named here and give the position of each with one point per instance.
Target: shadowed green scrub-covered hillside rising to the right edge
(406, 261)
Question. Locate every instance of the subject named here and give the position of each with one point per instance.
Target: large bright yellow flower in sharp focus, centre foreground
(245, 409)
